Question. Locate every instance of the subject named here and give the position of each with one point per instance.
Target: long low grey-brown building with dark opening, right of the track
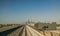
(46, 26)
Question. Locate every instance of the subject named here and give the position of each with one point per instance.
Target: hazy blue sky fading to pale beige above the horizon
(17, 11)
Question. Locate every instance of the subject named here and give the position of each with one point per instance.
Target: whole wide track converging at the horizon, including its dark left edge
(21, 31)
